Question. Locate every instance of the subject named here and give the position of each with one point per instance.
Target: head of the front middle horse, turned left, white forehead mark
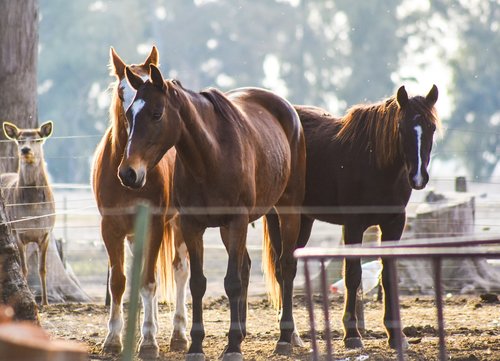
(154, 125)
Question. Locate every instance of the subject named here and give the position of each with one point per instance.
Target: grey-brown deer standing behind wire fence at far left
(28, 197)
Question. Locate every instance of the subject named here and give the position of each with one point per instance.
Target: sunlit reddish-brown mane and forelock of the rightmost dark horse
(375, 126)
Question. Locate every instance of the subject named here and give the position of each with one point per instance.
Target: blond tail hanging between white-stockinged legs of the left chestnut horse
(164, 265)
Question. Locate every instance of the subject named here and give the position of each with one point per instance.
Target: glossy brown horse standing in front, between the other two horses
(238, 155)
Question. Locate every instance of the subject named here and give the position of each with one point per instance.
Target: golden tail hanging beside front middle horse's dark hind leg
(269, 267)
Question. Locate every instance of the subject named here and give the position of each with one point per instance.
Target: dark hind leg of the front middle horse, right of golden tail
(289, 228)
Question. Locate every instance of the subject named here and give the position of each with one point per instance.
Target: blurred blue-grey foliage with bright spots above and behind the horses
(327, 53)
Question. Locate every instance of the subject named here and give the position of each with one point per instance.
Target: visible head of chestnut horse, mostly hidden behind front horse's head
(125, 92)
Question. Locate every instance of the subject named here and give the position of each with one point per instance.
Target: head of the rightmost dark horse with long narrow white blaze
(416, 129)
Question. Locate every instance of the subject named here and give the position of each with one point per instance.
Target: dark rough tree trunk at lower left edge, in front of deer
(14, 290)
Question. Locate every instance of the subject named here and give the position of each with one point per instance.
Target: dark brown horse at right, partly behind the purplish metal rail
(361, 170)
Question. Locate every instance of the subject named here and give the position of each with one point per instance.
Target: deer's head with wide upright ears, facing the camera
(29, 142)
